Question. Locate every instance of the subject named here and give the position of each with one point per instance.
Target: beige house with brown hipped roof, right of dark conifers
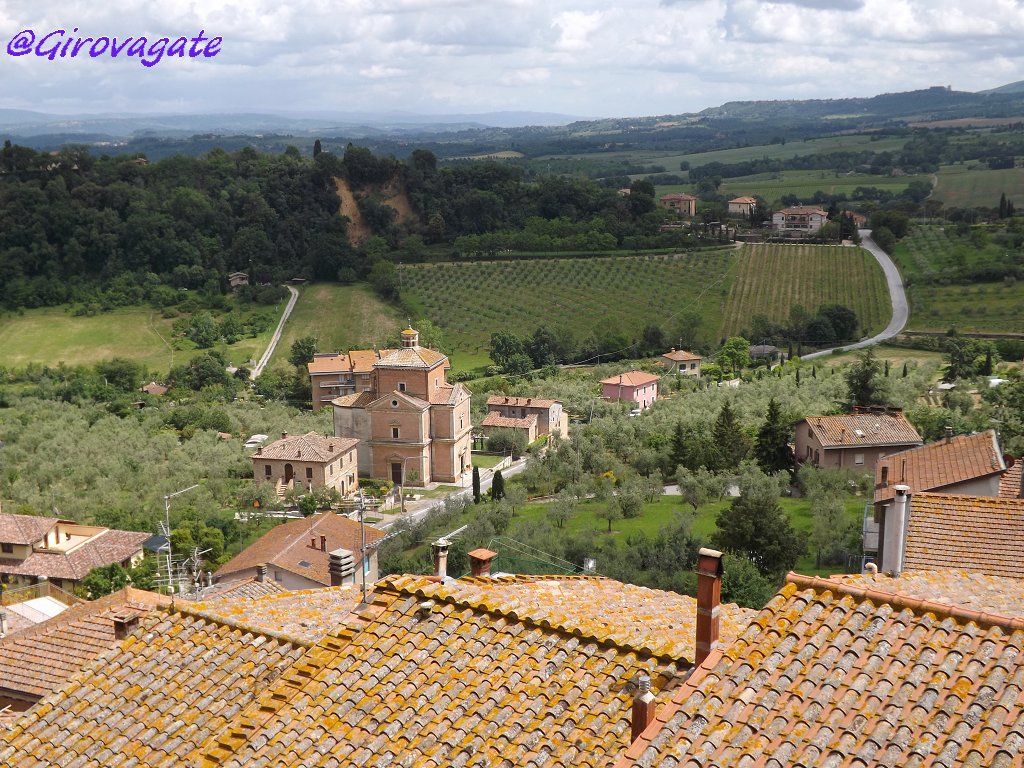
(856, 441)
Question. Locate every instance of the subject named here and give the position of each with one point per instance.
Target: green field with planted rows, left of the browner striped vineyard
(624, 293)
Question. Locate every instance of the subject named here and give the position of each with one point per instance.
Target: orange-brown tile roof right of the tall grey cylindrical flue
(983, 534)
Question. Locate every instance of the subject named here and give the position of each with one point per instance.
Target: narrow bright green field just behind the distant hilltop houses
(773, 187)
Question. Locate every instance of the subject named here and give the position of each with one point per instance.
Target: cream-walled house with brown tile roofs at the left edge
(62, 551)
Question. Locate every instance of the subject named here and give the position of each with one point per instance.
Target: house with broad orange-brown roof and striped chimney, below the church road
(298, 554)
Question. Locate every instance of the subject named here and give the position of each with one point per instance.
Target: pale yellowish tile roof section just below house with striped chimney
(309, 615)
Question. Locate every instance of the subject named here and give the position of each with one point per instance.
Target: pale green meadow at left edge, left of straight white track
(54, 335)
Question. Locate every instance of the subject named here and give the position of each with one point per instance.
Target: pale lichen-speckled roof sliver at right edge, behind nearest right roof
(972, 591)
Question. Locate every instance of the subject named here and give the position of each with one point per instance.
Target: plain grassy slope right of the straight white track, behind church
(342, 318)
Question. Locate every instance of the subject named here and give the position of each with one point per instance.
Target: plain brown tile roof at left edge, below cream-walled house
(39, 660)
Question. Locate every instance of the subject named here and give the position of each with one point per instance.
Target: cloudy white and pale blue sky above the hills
(581, 58)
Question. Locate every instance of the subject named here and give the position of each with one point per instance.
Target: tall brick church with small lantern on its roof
(413, 426)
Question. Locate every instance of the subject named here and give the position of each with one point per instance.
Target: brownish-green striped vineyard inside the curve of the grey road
(771, 279)
